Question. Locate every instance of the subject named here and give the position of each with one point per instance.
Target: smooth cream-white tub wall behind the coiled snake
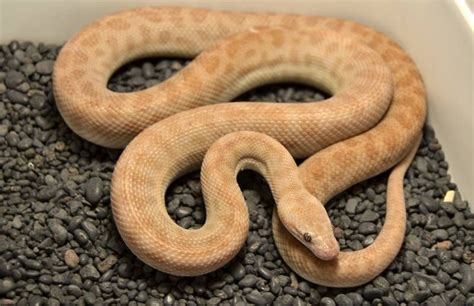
(435, 33)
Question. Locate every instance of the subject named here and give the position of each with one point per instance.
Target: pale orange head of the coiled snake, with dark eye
(310, 224)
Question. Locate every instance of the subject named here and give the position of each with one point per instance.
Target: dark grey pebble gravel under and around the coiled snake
(59, 244)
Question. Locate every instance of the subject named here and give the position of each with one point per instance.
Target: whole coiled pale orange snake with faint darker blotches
(371, 123)
